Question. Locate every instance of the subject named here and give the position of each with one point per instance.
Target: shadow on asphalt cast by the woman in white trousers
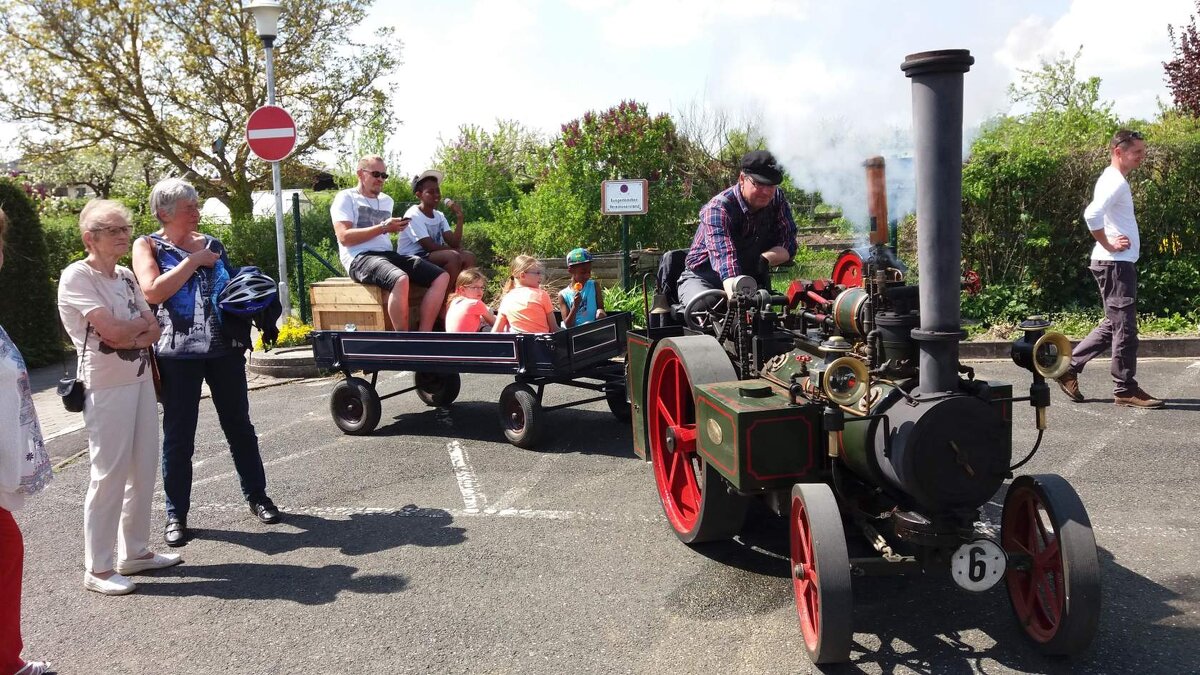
(296, 583)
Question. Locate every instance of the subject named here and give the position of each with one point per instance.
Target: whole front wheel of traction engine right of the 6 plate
(1057, 599)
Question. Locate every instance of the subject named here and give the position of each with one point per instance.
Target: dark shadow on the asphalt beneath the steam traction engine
(926, 624)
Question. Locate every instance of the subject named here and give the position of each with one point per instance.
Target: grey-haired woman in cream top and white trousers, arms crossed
(112, 328)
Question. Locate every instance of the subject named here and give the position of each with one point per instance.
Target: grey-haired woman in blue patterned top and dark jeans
(183, 272)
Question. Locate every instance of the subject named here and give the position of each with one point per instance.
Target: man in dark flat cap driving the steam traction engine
(742, 231)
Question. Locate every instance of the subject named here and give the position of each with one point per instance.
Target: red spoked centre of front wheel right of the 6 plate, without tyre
(1039, 595)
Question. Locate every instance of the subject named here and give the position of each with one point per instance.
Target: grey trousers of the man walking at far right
(1119, 331)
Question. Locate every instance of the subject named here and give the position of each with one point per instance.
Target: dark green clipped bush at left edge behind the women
(28, 307)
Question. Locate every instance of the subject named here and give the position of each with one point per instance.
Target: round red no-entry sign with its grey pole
(272, 136)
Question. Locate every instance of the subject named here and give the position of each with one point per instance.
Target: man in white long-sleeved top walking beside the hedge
(1113, 225)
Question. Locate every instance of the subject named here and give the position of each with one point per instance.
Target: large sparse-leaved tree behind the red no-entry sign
(178, 80)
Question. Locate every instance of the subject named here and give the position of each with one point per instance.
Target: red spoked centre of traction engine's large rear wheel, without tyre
(673, 429)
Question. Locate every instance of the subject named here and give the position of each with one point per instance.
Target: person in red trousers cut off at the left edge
(25, 470)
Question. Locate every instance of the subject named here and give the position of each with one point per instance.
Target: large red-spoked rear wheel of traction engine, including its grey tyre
(695, 497)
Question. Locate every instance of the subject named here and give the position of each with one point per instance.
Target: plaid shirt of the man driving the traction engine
(713, 244)
